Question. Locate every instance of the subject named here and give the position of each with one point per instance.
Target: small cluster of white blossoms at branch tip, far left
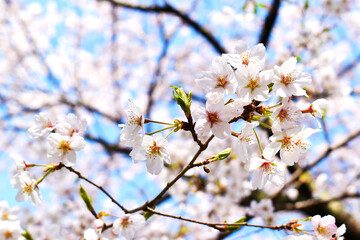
(66, 137)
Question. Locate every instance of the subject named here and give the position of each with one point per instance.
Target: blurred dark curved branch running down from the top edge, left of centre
(168, 9)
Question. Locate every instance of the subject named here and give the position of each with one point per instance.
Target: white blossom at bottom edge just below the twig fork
(128, 225)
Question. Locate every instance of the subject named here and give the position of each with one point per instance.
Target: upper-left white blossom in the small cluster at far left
(42, 125)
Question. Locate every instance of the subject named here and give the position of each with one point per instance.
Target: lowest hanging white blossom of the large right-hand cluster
(266, 170)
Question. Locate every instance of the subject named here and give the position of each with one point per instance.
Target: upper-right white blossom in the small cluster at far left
(71, 125)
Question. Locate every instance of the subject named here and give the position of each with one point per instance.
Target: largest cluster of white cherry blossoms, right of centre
(242, 73)
